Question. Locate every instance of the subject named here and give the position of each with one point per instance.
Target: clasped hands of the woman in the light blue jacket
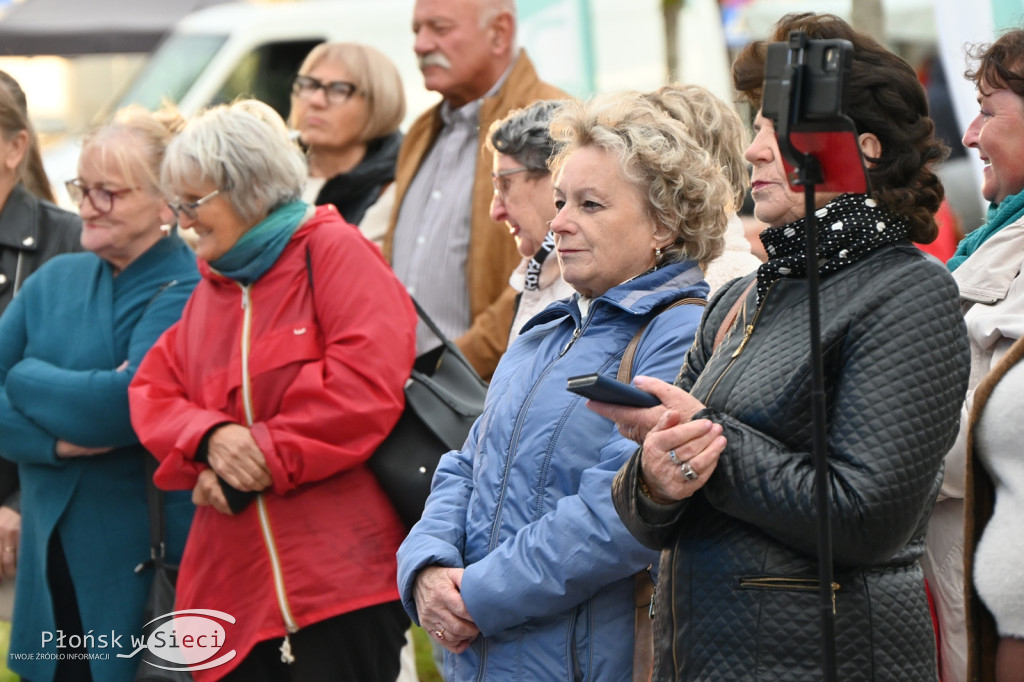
(442, 611)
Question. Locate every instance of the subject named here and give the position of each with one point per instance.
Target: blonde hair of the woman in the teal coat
(138, 140)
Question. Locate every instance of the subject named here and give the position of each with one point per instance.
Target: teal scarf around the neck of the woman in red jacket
(262, 245)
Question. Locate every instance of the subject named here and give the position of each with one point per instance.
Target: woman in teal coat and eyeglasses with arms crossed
(70, 345)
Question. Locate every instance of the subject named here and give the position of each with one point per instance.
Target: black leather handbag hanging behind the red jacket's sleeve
(444, 398)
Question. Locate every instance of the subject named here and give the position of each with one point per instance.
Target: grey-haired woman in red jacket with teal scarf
(268, 399)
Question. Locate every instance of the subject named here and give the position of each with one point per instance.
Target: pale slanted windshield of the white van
(173, 70)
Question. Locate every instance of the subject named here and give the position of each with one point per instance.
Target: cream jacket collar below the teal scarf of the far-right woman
(987, 276)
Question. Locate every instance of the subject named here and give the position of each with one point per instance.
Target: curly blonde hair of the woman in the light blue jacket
(688, 194)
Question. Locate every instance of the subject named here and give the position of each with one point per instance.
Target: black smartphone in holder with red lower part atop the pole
(804, 96)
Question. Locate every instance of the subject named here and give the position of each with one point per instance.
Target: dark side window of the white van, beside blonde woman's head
(267, 74)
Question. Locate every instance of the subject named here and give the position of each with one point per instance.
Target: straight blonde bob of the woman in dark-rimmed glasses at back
(376, 79)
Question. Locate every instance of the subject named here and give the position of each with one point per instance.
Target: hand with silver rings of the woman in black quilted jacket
(698, 444)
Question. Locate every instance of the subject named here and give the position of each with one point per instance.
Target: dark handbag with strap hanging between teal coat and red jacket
(165, 575)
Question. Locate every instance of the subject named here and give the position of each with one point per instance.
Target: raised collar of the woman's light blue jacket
(638, 296)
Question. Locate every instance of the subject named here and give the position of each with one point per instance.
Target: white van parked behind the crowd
(254, 50)
